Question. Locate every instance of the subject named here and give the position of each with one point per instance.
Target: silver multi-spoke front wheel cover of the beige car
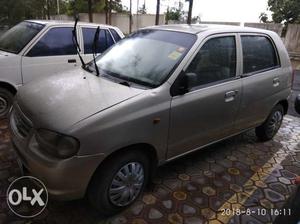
(126, 184)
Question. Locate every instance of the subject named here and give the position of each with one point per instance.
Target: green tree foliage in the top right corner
(287, 11)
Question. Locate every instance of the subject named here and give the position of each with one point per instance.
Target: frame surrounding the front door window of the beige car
(220, 82)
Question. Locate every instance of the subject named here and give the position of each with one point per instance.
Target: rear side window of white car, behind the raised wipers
(105, 40)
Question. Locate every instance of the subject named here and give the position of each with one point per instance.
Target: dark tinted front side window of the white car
(57, 41)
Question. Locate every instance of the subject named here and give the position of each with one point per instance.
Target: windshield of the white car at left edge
(15, 39)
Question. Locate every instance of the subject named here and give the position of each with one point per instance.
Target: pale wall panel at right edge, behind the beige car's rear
(292, 40)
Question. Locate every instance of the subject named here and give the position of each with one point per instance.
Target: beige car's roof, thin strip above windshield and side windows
(197, 28)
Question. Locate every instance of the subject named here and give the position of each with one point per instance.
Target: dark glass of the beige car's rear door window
(259, 53)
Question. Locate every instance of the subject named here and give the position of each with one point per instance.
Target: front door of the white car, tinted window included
(51, 53)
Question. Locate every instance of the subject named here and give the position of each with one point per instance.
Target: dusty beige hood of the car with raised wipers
(59, 101)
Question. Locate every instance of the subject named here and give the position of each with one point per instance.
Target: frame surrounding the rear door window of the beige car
(242, 56)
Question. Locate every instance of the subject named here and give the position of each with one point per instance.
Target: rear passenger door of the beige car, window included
(262, 78)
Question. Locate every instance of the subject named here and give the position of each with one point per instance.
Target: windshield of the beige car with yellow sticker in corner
(146, 57)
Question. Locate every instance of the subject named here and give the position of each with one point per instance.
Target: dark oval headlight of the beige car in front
(56, 144)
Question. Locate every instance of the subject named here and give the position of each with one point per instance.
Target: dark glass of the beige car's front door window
(215, 61)
